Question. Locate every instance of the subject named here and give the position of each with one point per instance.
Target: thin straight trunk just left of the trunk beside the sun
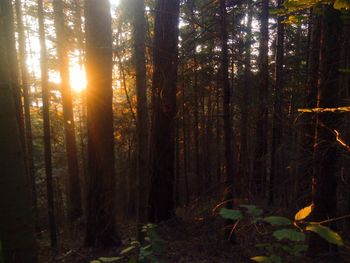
(47, 133)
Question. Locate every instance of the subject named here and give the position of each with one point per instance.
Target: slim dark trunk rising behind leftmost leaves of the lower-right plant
(229, 159)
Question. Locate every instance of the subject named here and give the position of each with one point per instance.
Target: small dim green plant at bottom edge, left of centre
(149, 251)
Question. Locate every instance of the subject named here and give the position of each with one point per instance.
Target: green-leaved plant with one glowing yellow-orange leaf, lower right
(289, 234)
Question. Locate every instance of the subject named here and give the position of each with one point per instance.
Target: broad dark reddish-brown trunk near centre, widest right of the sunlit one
(161, 203)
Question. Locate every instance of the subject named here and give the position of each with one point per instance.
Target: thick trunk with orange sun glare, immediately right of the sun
(101, 186)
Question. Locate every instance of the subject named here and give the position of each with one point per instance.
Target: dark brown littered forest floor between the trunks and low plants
(196, 235)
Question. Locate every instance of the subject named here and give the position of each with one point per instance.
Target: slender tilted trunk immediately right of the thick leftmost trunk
(26, 102)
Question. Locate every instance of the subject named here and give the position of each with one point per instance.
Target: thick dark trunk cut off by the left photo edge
(16, 218)
